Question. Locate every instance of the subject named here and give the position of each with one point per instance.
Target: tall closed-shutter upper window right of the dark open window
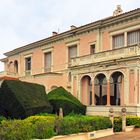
(47, 61)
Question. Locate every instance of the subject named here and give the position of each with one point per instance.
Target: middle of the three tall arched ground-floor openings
(100, 89)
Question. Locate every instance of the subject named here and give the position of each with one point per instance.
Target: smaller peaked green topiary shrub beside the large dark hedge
(61, 98)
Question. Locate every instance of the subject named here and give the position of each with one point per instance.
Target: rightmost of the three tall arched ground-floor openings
(116, 88)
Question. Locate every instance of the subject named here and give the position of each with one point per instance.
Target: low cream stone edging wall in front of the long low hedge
(84, 136)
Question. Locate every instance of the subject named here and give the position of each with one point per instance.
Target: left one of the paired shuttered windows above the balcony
(118, 41)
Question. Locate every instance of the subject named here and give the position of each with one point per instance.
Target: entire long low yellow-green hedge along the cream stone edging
(43, 127)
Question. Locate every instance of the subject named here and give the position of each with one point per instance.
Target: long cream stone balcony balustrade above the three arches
(115, 54)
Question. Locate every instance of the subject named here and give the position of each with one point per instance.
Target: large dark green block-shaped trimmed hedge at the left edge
(21, 99)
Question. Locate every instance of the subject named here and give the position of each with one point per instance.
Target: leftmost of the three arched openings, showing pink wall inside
(86, 87)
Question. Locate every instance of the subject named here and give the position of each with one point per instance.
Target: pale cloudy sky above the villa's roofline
(26, 21)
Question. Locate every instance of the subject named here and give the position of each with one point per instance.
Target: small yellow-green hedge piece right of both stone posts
(133, 120)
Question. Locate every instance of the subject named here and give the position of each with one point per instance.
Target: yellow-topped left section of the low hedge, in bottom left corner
(32, 127)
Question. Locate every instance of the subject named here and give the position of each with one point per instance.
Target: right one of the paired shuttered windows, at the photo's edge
(133, 37)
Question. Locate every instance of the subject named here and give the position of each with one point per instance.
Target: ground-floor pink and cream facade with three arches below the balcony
(113, 88)
